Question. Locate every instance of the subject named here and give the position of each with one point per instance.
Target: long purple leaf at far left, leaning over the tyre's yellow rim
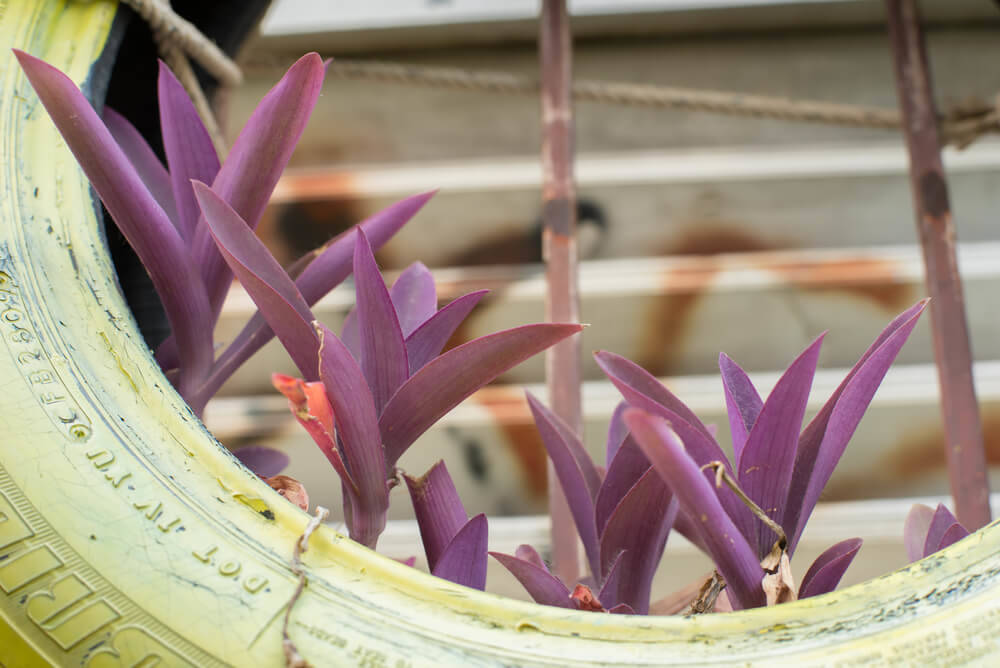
(141, 220)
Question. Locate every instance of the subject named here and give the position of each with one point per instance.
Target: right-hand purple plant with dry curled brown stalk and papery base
(781, 471)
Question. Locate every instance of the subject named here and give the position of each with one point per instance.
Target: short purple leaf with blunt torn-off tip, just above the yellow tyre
(438, 510)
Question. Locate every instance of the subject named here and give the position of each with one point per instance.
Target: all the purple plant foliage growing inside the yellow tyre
(366, 396)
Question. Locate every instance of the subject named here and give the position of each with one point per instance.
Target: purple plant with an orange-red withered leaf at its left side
(394, 385)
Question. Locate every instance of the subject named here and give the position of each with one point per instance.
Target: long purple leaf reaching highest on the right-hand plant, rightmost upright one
(825, 438)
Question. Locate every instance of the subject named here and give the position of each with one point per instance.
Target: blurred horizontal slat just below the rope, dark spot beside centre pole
(651, 202)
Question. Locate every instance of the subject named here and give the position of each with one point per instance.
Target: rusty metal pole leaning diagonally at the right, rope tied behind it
(962, 427)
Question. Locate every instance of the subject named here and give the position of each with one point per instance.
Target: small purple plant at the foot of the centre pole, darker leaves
(623, 519)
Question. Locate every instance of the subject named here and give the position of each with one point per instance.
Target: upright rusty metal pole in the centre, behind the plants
(562, 304)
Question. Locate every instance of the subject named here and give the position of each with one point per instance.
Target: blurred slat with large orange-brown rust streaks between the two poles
(674, 316)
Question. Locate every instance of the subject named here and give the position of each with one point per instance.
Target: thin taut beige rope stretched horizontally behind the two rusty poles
(960, 127)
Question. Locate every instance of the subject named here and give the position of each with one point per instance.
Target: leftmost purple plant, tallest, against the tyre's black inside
(156, 210)
